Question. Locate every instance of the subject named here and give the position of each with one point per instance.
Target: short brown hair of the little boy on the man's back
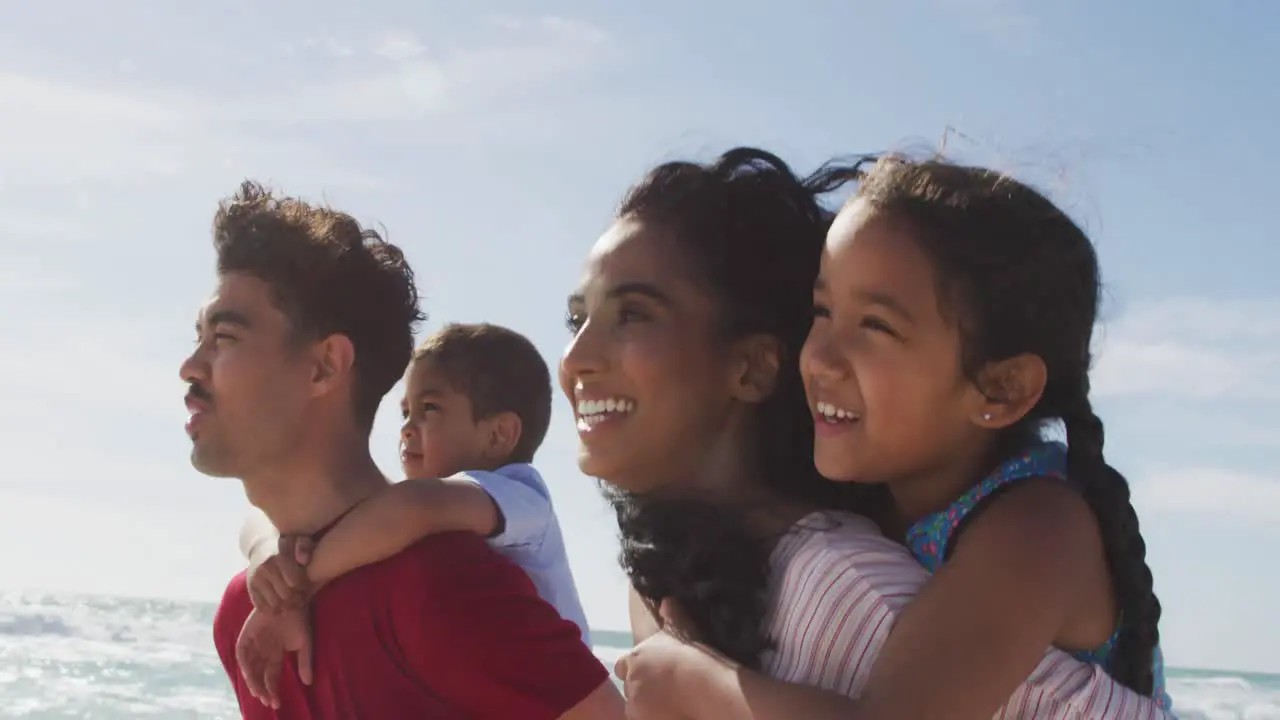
(500, 371)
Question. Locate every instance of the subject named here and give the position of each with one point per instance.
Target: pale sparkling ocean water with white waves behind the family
(70, 657)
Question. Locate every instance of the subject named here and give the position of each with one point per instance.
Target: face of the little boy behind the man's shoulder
(440, 436)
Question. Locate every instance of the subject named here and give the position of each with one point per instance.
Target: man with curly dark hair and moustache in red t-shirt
(310, 325)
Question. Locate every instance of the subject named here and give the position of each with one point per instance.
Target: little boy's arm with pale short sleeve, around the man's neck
(486, 504)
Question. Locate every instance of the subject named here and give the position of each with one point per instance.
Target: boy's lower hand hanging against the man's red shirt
(262, 646)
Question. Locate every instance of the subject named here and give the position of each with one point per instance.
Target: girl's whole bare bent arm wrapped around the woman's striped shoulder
(973, 635)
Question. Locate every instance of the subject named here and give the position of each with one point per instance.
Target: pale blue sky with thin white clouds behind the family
(493, 142)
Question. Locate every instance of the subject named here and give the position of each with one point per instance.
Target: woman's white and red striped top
(838, 586)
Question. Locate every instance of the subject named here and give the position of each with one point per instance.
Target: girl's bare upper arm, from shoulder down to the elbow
(982, 626)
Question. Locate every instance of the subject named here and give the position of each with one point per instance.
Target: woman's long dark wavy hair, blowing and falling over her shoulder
(753, 234)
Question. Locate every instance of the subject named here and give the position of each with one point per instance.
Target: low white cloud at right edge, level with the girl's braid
(1229, 495)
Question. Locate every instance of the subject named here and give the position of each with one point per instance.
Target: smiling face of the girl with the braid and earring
(883, 364)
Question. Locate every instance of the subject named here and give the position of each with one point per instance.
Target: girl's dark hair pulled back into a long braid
(1018, 276)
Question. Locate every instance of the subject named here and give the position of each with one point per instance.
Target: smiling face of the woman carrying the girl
(647, 371)
